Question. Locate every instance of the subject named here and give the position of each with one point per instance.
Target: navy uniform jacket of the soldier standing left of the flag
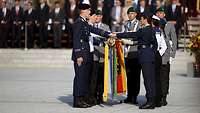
(81, 33)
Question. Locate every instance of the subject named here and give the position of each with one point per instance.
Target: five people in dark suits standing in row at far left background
(18, 21)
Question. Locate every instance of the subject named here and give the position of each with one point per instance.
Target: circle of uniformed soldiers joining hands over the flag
(149, 45)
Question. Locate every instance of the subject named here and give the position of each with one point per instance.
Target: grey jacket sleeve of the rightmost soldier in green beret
(173, 38)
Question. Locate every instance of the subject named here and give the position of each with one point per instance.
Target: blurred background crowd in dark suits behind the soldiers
(48, 23)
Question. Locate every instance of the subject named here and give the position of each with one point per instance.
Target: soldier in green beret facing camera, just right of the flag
(133, 67)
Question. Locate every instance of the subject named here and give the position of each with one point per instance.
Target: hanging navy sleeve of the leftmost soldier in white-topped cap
(76, 39)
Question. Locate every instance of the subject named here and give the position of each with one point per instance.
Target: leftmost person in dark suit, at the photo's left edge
(4, 24)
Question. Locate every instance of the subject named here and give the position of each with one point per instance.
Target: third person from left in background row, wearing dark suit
(30, 17)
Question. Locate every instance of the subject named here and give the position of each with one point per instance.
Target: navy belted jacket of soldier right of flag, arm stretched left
(147, 43)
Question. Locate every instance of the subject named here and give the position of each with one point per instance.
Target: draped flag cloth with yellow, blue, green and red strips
(114, 69)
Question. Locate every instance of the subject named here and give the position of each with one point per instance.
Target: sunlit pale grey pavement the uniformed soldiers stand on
(49, 90)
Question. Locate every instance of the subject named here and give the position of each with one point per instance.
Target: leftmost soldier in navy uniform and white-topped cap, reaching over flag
(82, 56)
